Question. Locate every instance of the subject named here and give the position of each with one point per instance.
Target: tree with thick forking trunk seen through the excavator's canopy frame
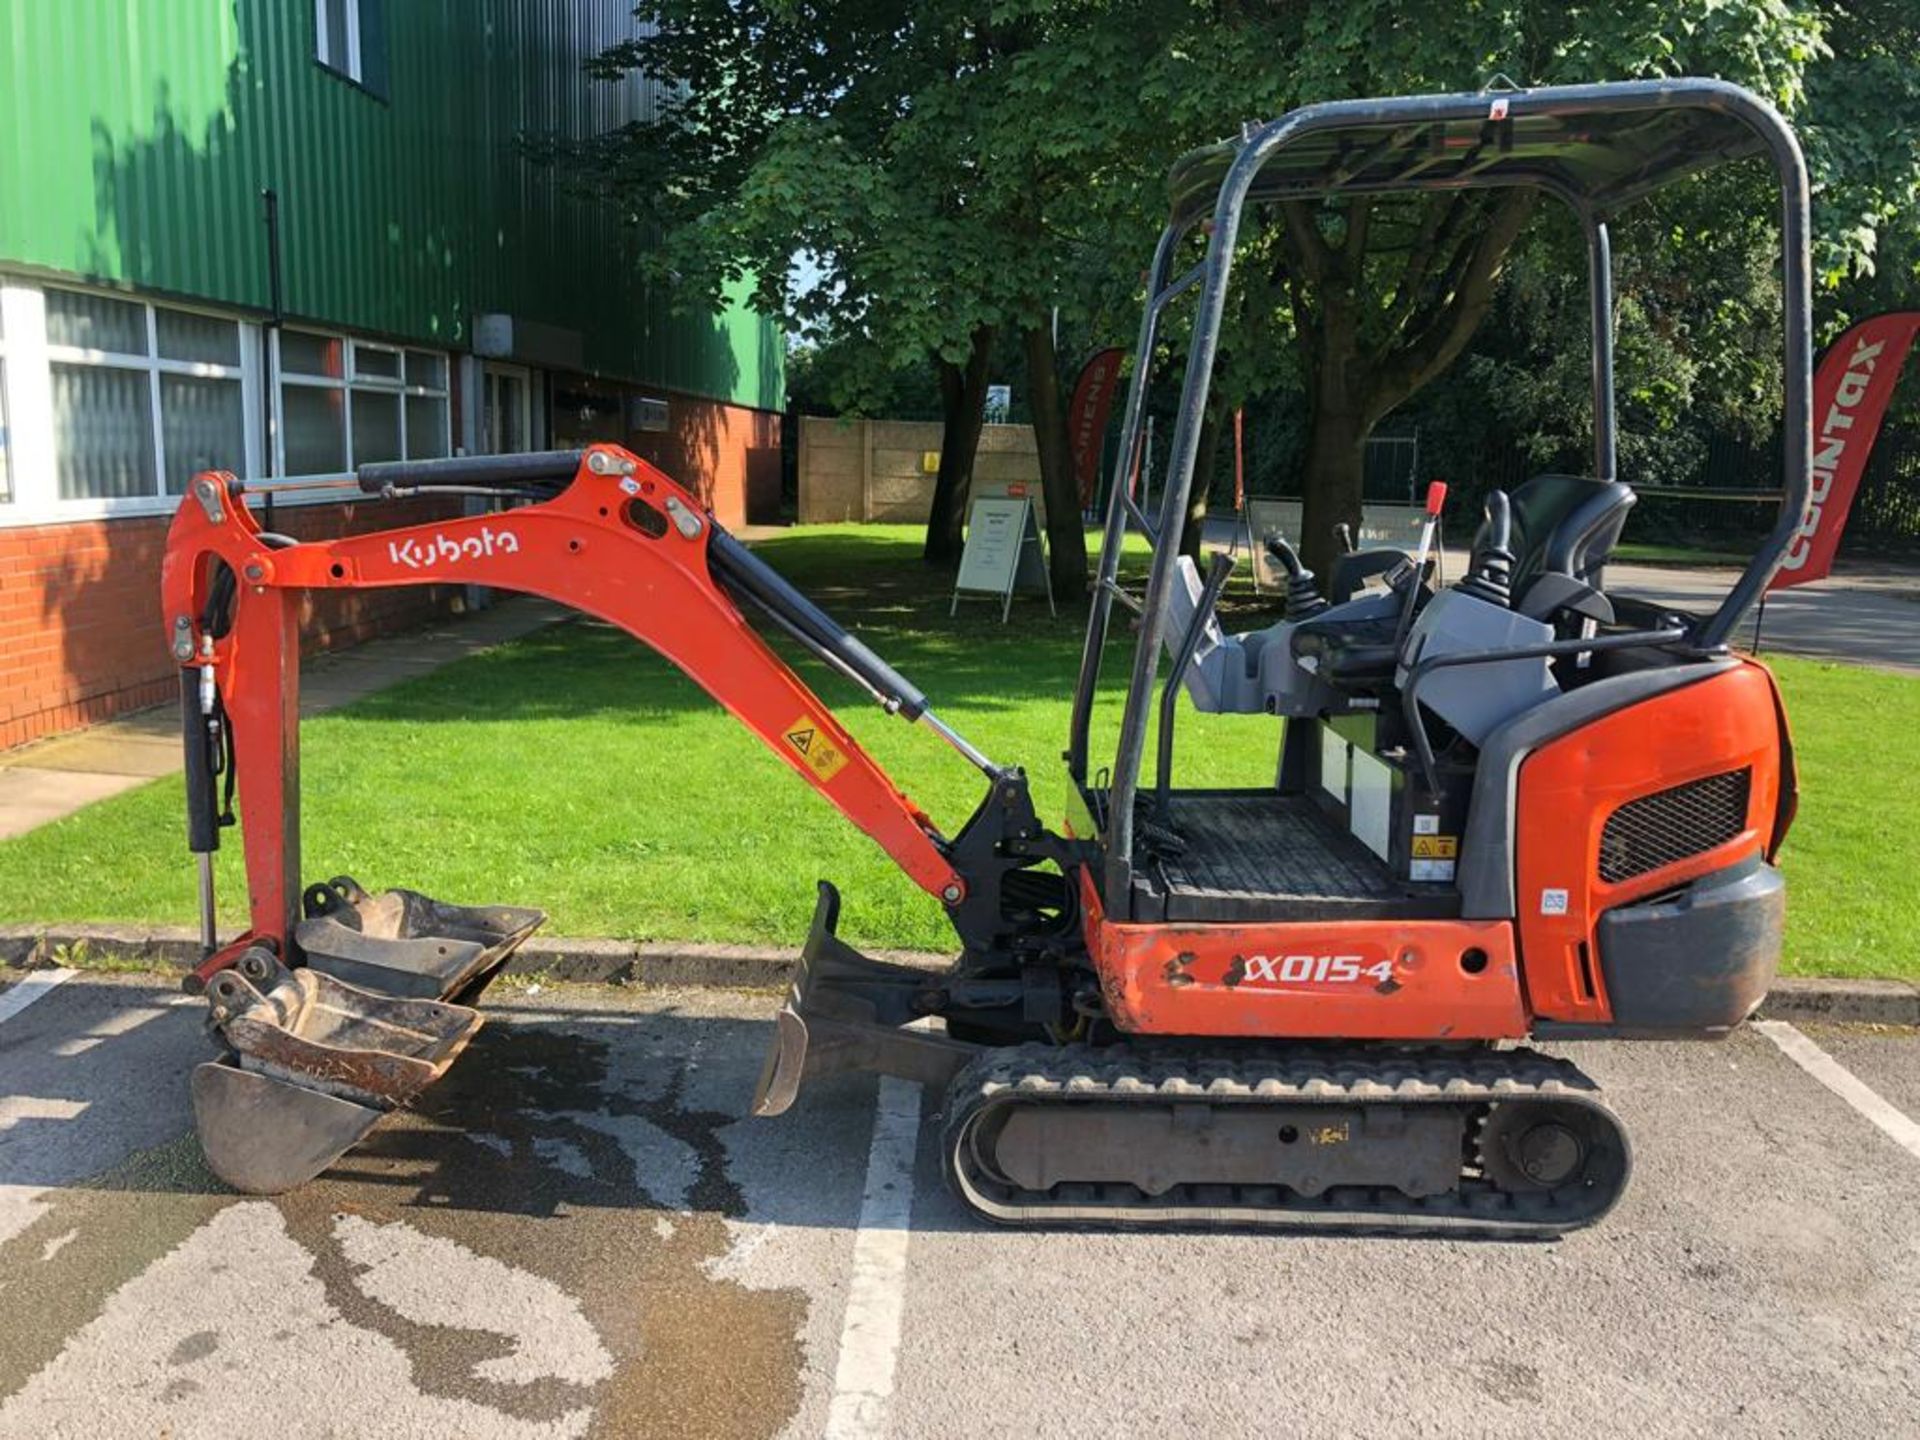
(1383, 295)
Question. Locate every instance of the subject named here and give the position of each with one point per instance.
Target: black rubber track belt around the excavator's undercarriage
(1347, 1078)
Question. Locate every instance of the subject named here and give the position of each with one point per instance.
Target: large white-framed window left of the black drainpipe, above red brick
(143, 396)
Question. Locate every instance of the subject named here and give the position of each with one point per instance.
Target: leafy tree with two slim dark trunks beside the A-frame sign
(911, 155)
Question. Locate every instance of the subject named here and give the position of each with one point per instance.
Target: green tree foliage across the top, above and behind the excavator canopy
(955, 166)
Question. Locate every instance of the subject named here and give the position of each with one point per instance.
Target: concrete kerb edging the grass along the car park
(673, 965)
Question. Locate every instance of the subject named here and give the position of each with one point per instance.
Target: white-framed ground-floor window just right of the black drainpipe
(352, 402)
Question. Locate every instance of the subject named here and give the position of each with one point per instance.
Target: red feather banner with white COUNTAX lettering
(1850, 398)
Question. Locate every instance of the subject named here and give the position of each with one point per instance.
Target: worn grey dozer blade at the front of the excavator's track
(850, 1013)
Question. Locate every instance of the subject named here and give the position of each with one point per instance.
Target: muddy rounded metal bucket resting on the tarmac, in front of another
(314, 1065)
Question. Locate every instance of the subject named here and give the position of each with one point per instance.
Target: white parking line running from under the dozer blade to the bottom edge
(871, 1335)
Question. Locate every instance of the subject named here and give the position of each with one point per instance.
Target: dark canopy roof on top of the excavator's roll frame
(1596, 147)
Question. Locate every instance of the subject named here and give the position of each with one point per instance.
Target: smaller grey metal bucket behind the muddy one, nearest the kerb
(408, 944)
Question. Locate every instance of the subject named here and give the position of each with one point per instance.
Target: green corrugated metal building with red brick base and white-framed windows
(439, 289)
